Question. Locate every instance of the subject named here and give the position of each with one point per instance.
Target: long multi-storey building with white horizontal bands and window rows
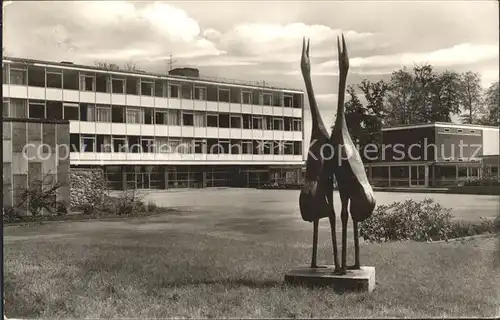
(163, 131)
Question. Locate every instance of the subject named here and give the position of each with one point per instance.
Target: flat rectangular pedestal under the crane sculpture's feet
(362, 280)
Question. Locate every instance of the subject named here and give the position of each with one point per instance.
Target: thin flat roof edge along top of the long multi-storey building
(201, 79)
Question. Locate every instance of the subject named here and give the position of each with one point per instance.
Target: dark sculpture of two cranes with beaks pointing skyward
(329, 157)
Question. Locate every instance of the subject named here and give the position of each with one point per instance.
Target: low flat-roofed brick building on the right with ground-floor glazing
(434, 155)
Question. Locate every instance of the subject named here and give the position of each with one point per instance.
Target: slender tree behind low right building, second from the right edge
(471, 97)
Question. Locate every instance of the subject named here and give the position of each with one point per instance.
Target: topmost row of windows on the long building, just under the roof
(20, 74)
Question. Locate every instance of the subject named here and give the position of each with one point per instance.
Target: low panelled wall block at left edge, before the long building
(34, 150)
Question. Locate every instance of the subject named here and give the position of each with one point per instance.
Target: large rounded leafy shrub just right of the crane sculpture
(409, 220)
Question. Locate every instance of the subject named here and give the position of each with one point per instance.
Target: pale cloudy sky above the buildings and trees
(261, 40)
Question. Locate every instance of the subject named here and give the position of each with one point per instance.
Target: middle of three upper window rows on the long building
(58, 110)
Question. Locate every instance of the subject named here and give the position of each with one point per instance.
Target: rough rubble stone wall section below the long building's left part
(88, 186)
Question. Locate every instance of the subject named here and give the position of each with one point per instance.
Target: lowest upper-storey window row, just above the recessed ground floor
(149, 144)
